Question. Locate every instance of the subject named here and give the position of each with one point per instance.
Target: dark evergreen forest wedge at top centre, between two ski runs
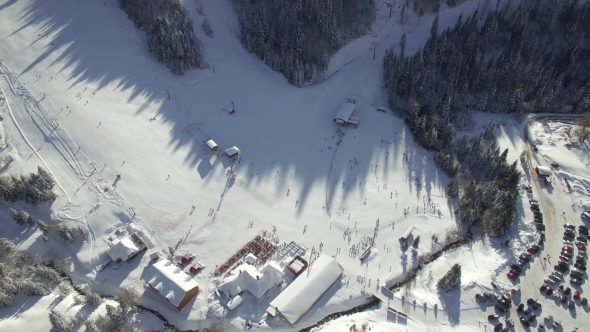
(297, 38)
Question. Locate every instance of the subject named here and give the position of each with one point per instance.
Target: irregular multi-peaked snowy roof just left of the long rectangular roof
(249, 279)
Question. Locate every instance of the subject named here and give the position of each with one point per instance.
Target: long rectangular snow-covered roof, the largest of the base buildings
(302, 293)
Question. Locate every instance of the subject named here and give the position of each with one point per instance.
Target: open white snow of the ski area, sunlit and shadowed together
(82, 98)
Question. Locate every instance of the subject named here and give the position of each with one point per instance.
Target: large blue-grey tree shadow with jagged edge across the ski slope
(270, 113)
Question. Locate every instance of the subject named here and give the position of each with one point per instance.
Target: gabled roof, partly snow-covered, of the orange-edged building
(169, 280)
